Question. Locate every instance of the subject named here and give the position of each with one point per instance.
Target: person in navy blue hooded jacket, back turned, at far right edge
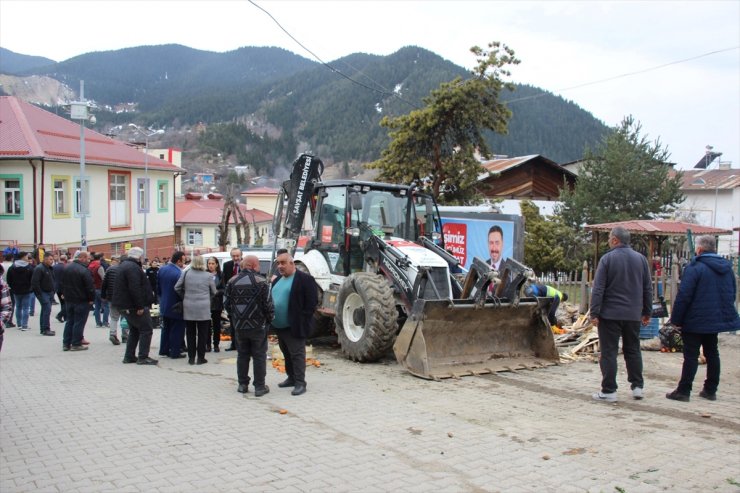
(704, 307)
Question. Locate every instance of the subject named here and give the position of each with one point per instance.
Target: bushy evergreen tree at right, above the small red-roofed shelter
(626, 177)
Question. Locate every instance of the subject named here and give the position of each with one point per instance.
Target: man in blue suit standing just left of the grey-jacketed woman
(173, 327)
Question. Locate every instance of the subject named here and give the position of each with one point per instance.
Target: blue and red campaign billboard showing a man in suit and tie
(466, 235)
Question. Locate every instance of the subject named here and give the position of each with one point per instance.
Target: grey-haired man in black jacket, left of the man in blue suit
(133, 296)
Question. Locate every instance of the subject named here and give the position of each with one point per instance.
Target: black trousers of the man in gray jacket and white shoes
(609, 333)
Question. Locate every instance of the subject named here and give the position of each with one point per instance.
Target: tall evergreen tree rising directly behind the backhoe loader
(434, 146)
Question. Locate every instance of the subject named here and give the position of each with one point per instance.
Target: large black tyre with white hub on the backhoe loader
(367, 319)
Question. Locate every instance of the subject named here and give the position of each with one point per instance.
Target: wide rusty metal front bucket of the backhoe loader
(450, 339)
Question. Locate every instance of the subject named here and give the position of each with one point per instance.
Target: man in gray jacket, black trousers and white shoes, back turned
(621, 298)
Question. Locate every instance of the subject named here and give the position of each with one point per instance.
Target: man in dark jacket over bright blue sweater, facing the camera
(295, 296)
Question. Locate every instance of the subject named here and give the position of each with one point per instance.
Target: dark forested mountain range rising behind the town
(332, 109)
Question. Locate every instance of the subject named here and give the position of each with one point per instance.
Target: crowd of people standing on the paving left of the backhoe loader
(191, 295)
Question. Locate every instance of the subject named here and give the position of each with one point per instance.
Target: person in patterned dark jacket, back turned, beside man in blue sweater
(248, 296)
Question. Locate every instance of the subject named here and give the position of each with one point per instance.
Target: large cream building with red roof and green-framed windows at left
(43, 192)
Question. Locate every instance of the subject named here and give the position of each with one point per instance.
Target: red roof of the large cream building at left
(29, 132)
